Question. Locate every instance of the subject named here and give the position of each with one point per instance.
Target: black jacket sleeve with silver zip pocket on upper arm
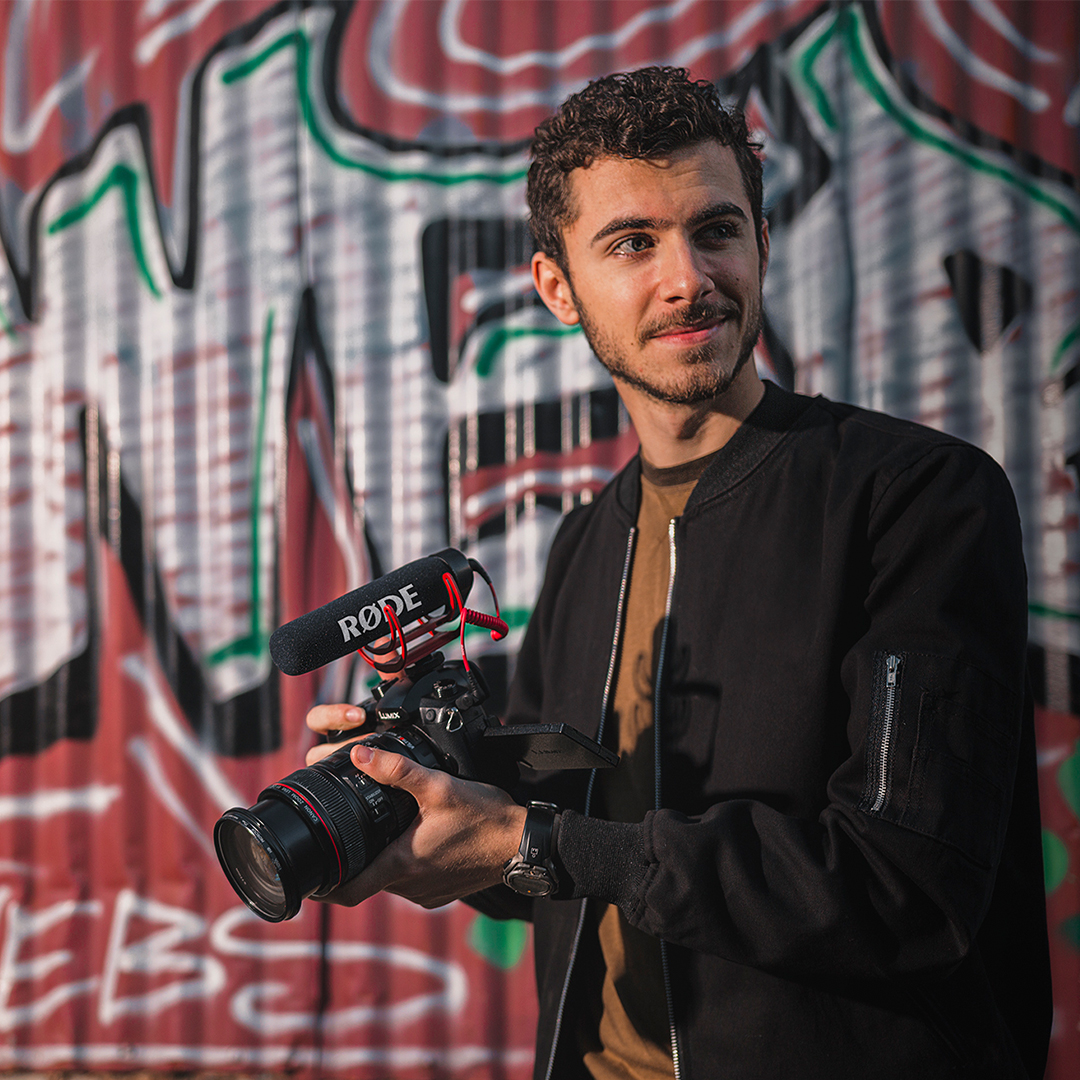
(895, 875)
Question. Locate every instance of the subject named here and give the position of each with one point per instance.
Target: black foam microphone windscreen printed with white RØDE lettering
(415, 591)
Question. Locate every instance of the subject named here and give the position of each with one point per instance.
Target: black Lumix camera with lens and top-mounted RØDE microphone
(320, 827)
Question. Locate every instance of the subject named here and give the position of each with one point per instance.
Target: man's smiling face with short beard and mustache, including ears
(665, 272)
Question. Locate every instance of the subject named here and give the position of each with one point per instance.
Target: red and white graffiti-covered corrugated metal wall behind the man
(267, 331)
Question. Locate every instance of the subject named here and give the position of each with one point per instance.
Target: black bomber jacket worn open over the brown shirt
(845, 865)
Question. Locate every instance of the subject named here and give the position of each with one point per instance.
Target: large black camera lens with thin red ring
(316, 830)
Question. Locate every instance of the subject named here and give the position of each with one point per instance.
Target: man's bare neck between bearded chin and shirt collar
(674, 435)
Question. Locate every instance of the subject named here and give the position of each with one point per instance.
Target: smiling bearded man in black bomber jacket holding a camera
(804, 627)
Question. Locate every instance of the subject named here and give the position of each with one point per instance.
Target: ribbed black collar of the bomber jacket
(776, 415)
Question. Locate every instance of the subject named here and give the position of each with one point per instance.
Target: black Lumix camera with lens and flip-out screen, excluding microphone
(320, 827)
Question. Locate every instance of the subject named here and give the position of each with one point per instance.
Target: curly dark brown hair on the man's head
(637, 115)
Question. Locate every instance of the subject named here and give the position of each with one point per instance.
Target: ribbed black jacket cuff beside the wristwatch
(601, 859)
